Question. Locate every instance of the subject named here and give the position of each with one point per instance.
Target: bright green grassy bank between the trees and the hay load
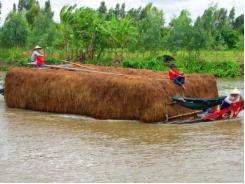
(219, 63)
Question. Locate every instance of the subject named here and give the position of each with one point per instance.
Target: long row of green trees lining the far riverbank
(89, 32)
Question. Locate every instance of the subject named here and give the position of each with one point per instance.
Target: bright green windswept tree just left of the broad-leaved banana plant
(81, 30)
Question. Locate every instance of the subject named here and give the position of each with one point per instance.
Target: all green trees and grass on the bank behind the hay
(136, 38)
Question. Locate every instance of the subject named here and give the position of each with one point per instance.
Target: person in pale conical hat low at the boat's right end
(234, 96)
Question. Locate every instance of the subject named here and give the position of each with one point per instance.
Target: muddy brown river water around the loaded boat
(46, 147)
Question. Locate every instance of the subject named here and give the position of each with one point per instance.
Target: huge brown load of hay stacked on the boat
(140, 95)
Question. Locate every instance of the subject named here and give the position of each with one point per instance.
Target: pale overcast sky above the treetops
(171, 8)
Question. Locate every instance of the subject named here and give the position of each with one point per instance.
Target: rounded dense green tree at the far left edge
(15, 30)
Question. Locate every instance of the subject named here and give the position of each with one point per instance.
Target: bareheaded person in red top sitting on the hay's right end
(177, 77)
